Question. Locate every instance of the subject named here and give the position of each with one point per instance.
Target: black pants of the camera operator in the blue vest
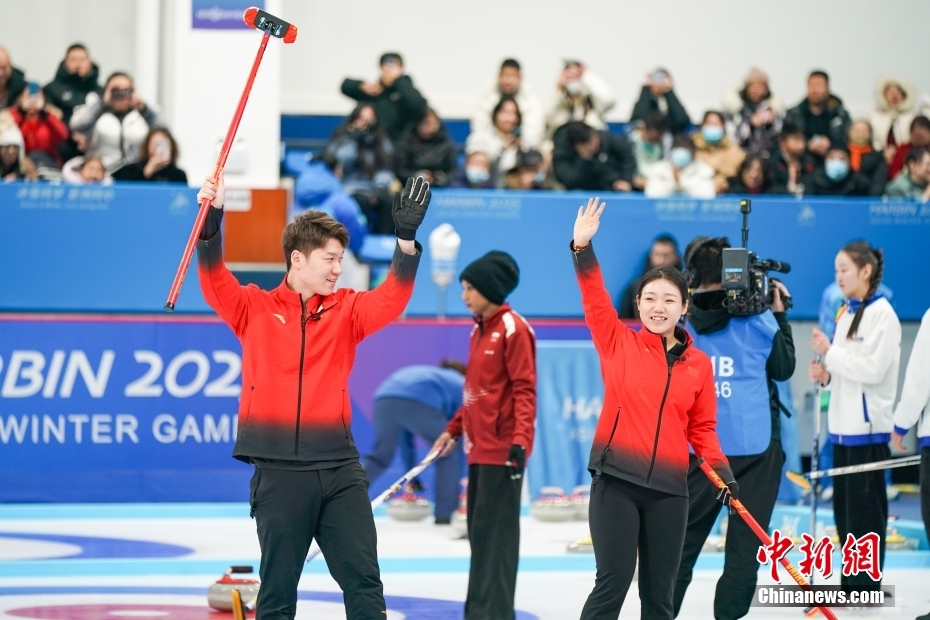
(758, 476)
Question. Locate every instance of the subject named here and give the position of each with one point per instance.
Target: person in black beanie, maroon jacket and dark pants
(496, 422)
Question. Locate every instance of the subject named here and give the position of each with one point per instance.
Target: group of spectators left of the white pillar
(76, 130)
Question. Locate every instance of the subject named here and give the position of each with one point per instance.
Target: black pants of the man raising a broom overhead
(292, 508)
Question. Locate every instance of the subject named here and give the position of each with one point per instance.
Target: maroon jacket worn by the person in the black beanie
(499, 401)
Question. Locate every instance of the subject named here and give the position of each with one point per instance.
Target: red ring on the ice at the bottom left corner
(116, 611)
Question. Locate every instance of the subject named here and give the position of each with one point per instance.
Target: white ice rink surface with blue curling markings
(96, 562)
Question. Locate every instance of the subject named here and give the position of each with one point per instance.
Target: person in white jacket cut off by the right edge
(914, 408)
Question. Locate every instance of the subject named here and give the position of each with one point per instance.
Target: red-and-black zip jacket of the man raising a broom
(297, 355)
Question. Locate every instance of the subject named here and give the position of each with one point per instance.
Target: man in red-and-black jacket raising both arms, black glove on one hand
(298, 348)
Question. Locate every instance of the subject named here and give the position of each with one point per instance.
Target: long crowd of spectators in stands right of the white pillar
(753, 144)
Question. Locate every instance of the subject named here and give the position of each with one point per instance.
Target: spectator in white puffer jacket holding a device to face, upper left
(114, 126)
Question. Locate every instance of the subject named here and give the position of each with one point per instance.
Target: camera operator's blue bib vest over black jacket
(748, 354)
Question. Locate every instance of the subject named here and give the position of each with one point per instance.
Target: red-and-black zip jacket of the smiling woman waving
(654, 404)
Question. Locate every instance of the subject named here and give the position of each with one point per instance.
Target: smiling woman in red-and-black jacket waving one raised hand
(659, 396)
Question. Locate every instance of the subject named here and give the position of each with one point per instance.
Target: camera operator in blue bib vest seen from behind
(749, 353)
